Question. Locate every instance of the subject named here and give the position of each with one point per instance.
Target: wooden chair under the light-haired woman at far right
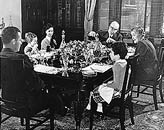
(155, 84)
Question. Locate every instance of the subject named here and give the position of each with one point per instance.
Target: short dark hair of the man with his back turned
(9, 33)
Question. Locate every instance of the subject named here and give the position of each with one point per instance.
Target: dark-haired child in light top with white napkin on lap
(106, 91)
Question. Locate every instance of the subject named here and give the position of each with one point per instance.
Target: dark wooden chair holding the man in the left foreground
(14, 103)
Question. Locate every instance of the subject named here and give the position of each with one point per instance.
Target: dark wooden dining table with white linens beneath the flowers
(77, 83)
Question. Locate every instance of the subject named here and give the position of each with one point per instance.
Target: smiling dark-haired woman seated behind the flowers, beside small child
(48, 43)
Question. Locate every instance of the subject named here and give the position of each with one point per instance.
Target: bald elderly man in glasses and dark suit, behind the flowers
(110, 36)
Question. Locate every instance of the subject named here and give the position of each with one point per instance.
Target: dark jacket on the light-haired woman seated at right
(147, 66)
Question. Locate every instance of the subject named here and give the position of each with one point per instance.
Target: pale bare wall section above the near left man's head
(10, 10)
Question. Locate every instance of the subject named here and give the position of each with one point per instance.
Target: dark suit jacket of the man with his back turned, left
(34, 93)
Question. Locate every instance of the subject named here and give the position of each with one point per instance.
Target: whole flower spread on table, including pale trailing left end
(74, 54)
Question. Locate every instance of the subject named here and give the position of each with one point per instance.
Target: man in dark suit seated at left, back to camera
(35, 92)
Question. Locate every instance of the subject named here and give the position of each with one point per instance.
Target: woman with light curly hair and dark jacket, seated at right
(147, 65)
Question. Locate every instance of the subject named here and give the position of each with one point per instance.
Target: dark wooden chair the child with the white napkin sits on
(121, 102)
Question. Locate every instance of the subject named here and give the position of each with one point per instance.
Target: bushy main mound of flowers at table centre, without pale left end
(79, 54)
